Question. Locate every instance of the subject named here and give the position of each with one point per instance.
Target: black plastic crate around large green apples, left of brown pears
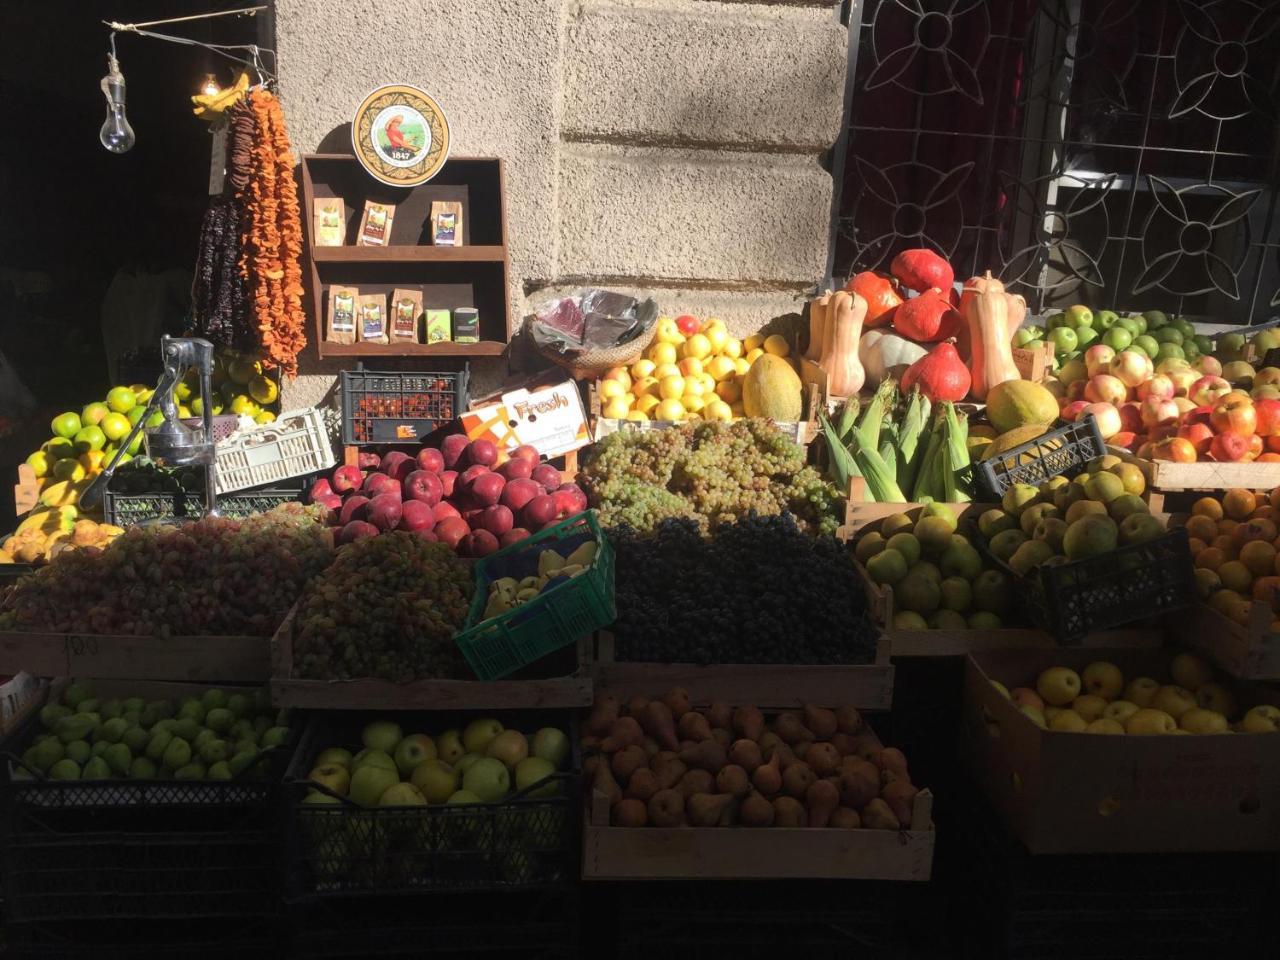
(342, 849)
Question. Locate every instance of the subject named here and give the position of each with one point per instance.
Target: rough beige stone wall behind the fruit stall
(671, 147)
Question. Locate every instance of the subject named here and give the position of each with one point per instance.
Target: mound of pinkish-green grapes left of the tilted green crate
(388, 609)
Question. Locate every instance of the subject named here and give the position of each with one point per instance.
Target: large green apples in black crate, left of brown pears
(483, 764)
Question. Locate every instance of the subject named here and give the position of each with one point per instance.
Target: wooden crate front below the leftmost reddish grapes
(179, 659)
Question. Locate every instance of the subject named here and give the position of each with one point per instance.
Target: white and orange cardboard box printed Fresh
(552, 420)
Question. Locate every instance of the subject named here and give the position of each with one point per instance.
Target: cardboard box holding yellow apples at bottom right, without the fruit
(1086, 794)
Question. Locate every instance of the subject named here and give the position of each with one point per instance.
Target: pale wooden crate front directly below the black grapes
(866, 685)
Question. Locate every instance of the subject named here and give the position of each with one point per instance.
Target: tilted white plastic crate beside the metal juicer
(295, 445)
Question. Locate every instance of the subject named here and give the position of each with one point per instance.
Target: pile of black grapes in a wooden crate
(758, 591)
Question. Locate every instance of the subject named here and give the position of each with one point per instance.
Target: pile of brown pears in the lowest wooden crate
(665, 765)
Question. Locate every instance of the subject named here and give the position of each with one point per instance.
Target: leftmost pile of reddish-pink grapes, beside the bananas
(214, 578)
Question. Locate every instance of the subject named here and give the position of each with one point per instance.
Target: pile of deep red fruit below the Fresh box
(459, 495)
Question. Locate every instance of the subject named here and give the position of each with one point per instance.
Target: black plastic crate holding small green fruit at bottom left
(103, 851)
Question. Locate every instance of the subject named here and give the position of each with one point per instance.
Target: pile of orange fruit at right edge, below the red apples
(1236, 550)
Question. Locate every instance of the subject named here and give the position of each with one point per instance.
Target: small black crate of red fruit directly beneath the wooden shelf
(400, 408)
